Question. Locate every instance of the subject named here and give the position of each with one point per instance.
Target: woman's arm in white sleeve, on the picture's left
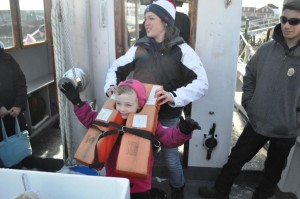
(119, 70)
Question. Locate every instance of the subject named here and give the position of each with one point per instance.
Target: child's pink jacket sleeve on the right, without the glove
(171, 137)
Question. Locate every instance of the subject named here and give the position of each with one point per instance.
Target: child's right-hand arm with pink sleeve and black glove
(171, 137)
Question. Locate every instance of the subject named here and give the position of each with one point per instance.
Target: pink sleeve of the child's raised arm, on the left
(85, 114)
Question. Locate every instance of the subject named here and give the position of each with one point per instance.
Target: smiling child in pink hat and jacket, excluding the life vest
(130, 98)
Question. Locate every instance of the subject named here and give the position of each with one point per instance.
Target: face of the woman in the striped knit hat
(154, 26)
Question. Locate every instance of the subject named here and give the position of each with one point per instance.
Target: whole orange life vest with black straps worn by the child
(137, 141)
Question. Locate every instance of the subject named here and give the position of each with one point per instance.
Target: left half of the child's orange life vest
(100, 138)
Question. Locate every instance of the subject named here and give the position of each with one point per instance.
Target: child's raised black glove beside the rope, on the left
(71, 93)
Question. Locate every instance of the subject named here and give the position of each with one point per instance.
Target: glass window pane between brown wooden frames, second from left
(32, 21)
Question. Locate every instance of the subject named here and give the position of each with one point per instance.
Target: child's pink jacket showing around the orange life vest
(168, 137)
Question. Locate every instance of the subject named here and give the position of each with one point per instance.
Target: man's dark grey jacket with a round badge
(271, 90)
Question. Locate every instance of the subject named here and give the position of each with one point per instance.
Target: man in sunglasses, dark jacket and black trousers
(273, 109)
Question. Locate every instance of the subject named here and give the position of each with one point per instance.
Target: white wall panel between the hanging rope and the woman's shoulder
(102, 48)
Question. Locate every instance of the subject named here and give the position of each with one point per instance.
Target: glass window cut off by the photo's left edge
(6, 28)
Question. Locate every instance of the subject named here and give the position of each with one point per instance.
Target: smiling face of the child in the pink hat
(127, 103)
